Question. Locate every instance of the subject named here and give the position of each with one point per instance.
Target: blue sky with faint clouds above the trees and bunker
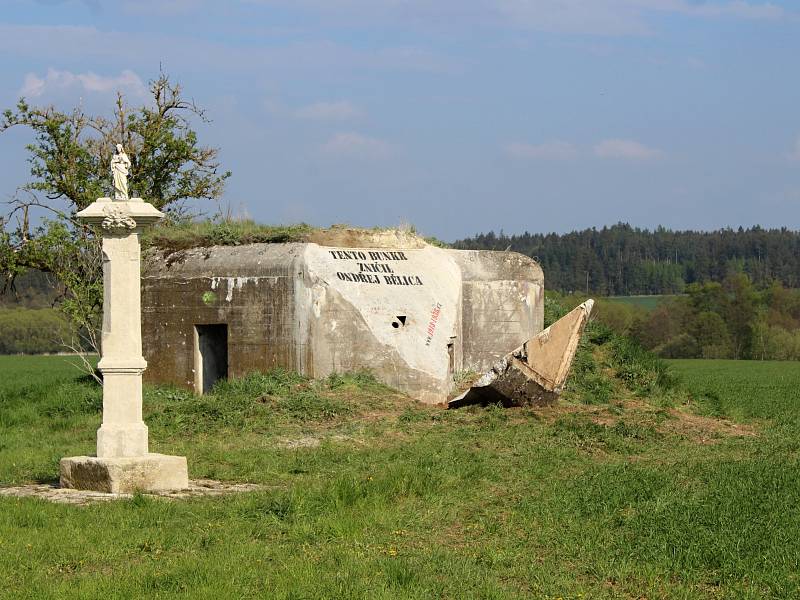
(456, 116)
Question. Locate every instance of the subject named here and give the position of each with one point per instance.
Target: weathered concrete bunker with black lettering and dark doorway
(411, 313)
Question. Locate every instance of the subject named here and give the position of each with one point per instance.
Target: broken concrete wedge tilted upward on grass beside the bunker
(534, 373)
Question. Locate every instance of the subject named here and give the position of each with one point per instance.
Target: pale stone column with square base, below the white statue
(123, 462)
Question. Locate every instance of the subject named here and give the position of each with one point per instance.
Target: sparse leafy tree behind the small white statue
(70, 168)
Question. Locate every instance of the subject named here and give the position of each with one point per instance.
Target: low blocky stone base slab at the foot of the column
(148, 473)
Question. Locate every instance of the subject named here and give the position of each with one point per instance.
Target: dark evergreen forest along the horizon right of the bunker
(622, 260)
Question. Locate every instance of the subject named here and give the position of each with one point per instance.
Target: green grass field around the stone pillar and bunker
(689, 493)
